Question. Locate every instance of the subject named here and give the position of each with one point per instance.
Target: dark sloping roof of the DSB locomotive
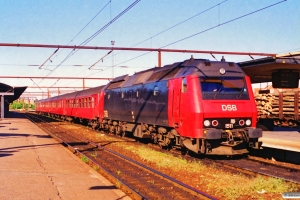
(199, 67)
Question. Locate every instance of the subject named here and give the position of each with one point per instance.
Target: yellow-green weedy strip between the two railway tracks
(228, 185)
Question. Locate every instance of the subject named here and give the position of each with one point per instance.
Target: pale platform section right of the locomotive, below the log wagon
(287, 140)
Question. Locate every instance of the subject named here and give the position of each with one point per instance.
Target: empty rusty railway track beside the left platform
(135, 179)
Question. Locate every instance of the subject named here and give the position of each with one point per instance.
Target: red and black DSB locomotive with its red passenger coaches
(197, 105)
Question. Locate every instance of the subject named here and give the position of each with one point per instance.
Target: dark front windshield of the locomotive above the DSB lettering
(224, 88)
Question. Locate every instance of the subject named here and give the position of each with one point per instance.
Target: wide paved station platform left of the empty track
(35, 166)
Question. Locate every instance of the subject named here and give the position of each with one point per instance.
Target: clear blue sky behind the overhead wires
(273, 30)
